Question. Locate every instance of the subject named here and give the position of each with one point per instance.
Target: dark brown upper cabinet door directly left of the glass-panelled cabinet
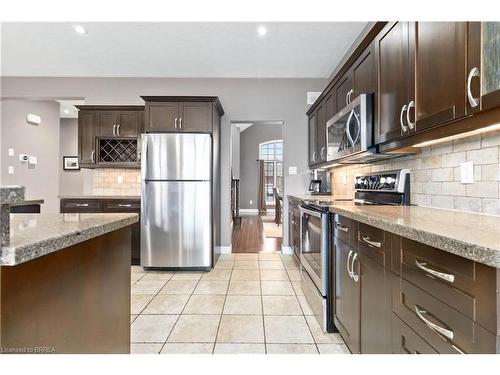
(440, 61)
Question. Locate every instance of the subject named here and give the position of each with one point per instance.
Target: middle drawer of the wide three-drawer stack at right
(444, 328)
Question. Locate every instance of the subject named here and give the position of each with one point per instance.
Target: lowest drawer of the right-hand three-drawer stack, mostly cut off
(406, 341)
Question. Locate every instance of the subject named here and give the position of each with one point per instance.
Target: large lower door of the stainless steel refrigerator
(176, 224)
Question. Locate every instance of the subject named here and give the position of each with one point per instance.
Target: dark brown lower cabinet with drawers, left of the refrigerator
(97, 205)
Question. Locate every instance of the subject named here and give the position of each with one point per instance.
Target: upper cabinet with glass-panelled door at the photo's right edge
(483, 69)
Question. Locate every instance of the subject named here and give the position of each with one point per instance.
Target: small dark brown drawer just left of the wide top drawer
(375, 243)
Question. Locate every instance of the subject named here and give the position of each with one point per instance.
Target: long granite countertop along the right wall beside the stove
(469, 235)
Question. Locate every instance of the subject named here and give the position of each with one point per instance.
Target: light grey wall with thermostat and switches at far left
(42, 180)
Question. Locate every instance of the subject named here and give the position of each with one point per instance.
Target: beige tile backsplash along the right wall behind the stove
(435, 175)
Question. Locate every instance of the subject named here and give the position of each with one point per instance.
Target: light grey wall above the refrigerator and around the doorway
(242, 99)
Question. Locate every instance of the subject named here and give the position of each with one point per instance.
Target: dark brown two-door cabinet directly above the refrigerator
(180, 114)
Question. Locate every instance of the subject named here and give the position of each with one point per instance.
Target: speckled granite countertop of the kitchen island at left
(36, 235)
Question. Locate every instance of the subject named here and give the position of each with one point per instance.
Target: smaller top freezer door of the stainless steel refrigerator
(176, 157)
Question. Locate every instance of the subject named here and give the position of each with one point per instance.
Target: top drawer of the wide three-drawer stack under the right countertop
(463, 284)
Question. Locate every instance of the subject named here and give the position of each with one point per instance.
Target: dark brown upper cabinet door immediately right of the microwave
(396, 81)
